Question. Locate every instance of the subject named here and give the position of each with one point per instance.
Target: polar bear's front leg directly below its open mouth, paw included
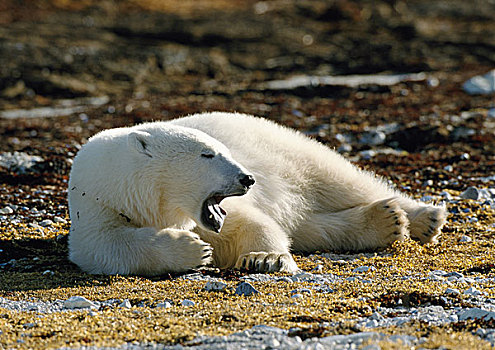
(250, 240)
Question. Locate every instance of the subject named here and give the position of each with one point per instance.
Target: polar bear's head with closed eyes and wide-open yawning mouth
(190, 171)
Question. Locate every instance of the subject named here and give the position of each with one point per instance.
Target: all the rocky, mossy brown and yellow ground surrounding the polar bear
(71, 68)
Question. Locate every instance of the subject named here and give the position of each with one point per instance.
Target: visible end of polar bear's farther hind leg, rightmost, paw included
(426, 221)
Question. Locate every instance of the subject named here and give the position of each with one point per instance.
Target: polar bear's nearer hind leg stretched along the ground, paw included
(363, 227)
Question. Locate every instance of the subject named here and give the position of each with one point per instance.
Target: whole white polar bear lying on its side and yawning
(232, 189)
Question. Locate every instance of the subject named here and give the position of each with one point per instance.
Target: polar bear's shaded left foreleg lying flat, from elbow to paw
(143, 251)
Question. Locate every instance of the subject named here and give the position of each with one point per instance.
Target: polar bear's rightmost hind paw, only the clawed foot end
(427, 222)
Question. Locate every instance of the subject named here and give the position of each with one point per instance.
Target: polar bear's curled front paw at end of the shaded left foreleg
(195, 252)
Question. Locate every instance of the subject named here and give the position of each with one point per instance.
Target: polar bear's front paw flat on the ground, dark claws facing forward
(267, 262)
